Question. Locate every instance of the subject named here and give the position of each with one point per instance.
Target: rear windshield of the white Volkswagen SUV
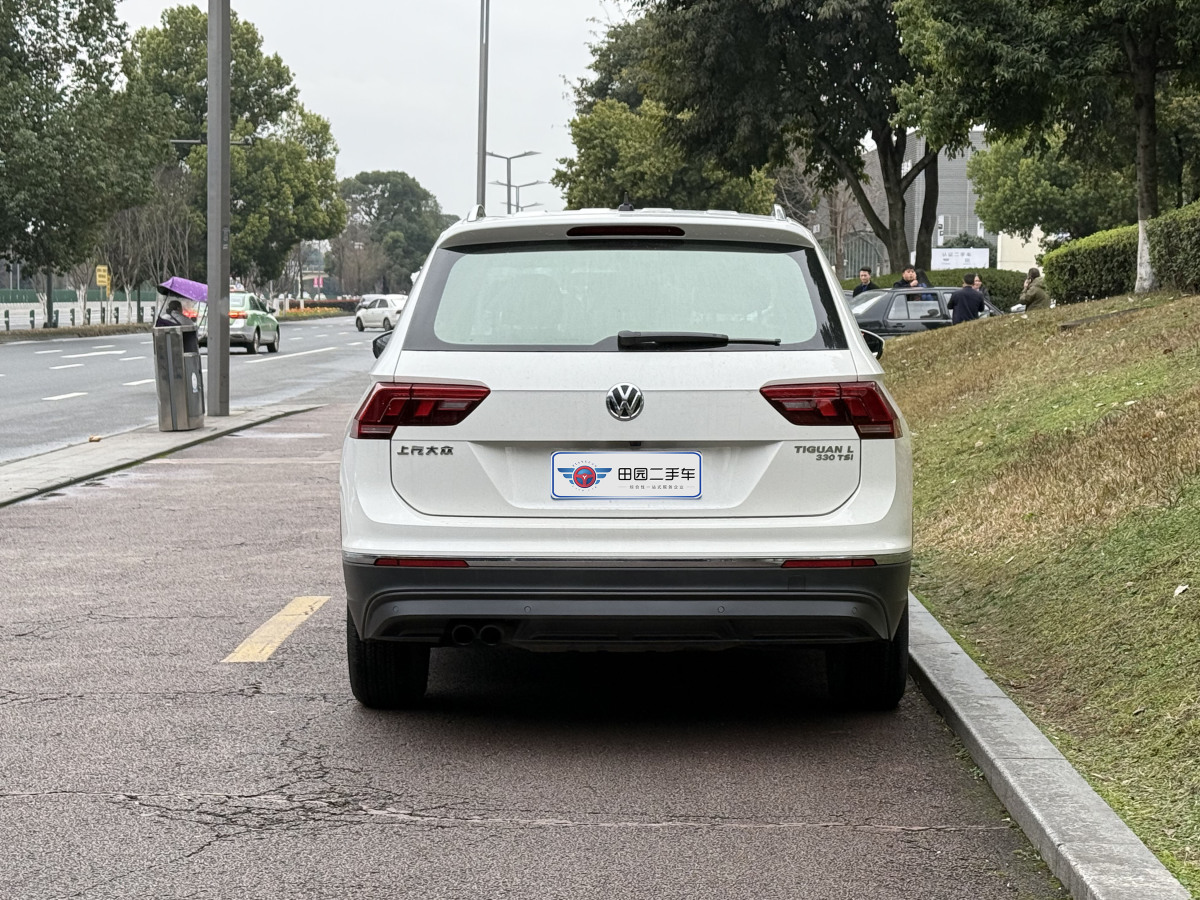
(579, 296)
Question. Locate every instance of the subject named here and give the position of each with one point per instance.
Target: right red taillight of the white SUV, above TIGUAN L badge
(859, 404)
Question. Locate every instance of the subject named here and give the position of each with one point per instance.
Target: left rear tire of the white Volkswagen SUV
(386, 675)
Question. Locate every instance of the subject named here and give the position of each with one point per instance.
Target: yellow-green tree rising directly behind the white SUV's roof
(627, 152)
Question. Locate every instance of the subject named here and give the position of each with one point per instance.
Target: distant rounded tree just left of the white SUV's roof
(395, 213)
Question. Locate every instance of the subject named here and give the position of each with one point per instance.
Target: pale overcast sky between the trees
(399, 82)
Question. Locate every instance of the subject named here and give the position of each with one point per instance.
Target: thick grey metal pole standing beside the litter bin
(219, 207)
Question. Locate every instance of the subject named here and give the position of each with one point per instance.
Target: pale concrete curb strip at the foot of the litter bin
(34, 476)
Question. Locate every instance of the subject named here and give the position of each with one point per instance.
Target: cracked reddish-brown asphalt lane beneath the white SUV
(137, 763)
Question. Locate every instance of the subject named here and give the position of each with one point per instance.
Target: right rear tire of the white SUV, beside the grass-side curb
(871, 676)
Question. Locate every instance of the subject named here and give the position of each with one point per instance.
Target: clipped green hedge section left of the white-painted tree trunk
(1101, 265)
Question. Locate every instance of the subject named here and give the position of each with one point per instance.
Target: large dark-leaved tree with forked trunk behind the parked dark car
(751, 80)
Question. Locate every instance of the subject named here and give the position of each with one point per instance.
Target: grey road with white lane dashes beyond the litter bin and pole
(59, 393)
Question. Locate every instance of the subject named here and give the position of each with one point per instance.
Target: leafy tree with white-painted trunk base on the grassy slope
(1024, 68)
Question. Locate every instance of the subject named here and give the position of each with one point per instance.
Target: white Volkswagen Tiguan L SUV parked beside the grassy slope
(616, 430)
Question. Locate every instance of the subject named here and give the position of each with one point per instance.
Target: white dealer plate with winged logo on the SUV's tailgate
(652, 476)
